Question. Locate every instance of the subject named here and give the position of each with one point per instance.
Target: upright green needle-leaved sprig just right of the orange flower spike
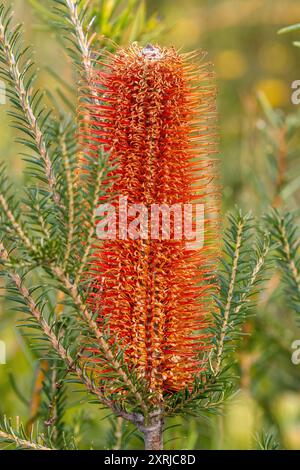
(242, 276)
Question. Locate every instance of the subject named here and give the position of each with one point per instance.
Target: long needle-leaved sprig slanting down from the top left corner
(29, 115)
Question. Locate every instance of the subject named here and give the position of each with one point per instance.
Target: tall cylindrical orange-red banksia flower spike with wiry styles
(153, 109)
